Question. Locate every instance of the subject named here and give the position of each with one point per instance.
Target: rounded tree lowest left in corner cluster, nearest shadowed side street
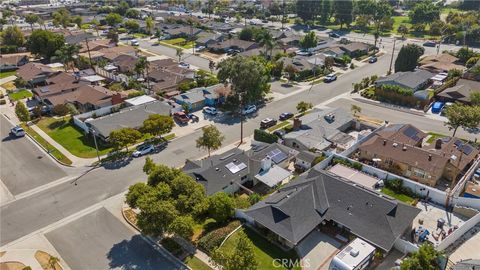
(155, 217)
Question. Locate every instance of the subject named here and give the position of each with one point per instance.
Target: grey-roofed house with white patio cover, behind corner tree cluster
(238, 169)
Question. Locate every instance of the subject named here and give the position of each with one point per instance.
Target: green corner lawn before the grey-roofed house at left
(71, 137)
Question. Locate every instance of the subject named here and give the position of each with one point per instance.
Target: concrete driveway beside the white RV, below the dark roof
(317, 250)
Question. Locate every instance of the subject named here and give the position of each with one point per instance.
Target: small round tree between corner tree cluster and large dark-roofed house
(221, 207)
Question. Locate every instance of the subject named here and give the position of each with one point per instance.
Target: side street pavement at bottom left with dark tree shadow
(100, 241)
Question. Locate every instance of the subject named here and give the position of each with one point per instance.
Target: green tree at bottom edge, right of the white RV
(426, 258)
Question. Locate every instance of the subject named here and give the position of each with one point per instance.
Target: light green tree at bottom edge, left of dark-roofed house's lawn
(242, 257)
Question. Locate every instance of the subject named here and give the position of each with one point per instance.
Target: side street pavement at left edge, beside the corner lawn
(23, 165)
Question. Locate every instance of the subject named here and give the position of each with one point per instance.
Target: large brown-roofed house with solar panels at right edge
(427, 164)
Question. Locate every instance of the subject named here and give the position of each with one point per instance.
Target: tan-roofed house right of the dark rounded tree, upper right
(440, 63)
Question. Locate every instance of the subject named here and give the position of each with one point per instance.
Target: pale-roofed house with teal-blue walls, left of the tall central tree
(200, 97)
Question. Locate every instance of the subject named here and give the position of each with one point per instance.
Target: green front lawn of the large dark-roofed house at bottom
(265, 252)
